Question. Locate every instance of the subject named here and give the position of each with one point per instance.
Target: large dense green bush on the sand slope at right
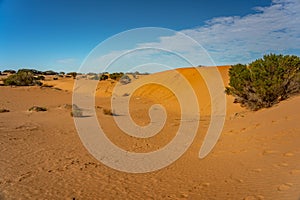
(265, 81)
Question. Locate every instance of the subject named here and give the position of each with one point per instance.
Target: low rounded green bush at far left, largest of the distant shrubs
(22, 78)
